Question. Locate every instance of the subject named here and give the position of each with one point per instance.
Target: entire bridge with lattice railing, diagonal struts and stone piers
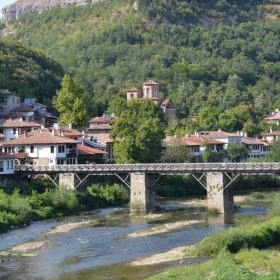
(218, 179)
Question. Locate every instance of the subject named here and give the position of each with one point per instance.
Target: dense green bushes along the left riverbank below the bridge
(26, 201)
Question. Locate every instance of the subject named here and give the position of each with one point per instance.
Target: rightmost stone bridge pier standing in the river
(217, 196)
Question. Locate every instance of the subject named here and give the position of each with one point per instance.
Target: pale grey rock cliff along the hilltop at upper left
(23, 7)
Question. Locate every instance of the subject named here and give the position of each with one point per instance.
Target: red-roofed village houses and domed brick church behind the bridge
(32, 136)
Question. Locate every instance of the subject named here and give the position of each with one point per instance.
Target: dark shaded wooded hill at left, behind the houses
(28, 72)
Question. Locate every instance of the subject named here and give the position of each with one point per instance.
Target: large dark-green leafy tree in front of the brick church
(137, 132)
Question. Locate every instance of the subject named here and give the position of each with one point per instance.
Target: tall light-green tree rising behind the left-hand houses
(71, 103)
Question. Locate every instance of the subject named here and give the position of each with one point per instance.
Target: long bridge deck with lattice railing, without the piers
(162, 168)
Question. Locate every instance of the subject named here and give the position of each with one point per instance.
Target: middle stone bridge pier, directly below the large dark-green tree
(142, 192)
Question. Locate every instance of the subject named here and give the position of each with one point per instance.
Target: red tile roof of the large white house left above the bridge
(37, 137)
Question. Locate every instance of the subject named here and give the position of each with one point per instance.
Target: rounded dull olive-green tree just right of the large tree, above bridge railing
(177, 151)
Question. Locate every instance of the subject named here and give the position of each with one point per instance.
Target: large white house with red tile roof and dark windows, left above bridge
(42, 147)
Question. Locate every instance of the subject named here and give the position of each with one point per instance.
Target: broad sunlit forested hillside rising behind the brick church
(216, 60)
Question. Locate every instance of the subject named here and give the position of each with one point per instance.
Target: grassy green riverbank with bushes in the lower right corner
(236, 251)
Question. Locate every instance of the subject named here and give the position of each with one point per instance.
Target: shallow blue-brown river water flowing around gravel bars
(101, 250)
